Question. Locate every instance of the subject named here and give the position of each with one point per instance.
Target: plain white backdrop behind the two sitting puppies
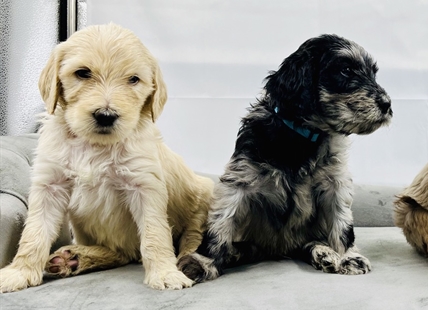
(215, 54)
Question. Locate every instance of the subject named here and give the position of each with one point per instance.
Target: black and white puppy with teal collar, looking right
(287, 191)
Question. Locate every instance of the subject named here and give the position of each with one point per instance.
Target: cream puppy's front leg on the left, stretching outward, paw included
(48, 200)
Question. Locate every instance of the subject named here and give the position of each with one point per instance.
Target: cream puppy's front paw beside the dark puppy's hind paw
(171, 279)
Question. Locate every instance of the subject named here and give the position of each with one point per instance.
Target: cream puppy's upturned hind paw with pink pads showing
(64, 262)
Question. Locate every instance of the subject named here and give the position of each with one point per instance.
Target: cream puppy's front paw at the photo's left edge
(14, 278)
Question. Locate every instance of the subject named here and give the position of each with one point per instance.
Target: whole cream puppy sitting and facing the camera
(101, 162)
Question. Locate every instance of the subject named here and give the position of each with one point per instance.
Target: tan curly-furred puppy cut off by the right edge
(411, 212)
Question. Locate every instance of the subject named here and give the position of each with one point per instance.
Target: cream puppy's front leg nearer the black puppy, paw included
(148, 205)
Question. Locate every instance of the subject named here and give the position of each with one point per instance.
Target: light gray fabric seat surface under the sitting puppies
(398, 281)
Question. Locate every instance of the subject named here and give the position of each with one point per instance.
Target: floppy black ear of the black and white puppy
(294, 86)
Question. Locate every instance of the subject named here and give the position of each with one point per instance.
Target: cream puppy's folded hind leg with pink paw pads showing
(71, 260)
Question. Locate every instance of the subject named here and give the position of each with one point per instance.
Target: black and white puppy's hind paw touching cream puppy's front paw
(197, 267)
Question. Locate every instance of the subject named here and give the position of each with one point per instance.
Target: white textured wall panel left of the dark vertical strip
(25, 44)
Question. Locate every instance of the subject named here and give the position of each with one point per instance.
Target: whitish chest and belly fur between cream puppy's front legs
(99, 179)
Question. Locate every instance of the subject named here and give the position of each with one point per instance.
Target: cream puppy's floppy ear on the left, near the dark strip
(49, 82)
